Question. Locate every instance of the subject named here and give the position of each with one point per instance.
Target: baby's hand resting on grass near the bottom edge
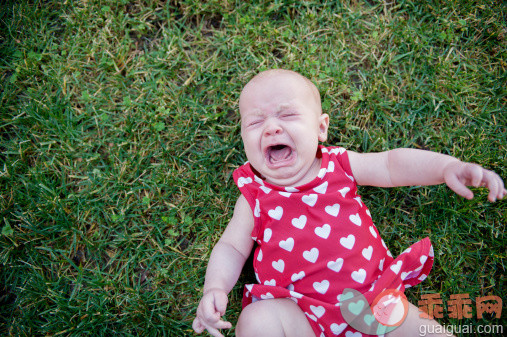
(209, 311)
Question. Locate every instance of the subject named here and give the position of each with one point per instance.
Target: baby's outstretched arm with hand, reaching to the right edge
(411, 167)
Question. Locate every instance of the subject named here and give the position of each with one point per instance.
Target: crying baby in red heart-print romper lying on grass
(314, 235)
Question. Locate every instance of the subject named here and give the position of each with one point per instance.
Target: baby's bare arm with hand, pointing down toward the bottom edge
(224, 267)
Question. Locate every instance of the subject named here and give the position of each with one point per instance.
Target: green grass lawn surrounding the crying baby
(120, 134)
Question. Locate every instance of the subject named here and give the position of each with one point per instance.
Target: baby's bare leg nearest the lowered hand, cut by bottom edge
(273, 317)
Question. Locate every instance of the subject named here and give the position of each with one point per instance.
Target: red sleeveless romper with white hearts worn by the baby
(315, 240)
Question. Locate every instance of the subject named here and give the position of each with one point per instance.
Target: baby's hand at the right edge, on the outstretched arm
(458, 175)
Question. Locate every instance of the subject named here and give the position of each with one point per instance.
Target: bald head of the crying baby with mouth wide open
(281, 125)
